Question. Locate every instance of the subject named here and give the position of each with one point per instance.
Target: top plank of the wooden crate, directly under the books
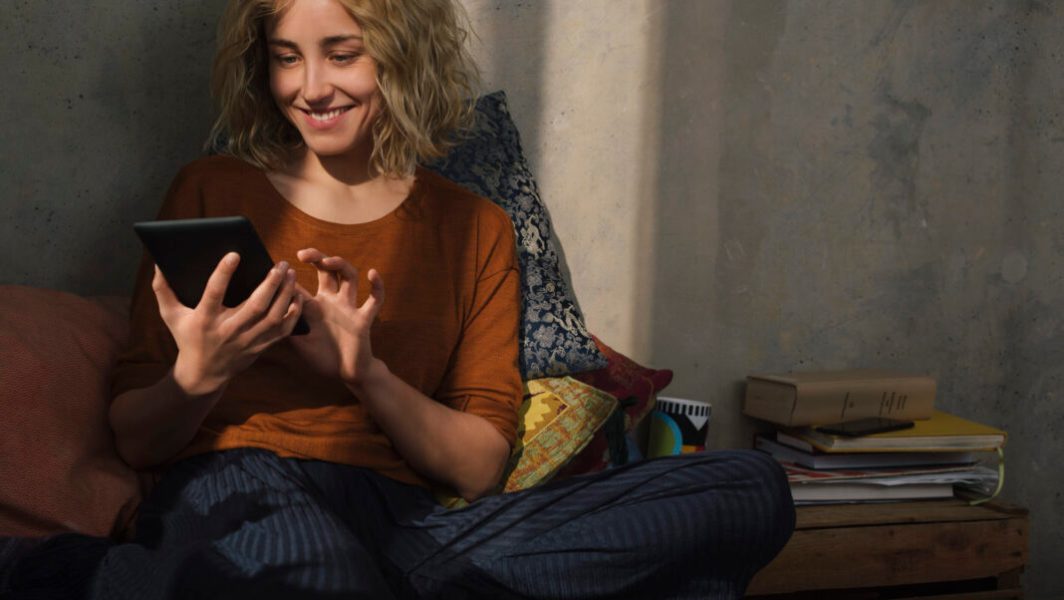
(928, 511)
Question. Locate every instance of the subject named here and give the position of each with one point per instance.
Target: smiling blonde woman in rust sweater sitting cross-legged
(302, 466)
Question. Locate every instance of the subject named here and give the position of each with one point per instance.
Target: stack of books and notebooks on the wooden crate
(941, 455)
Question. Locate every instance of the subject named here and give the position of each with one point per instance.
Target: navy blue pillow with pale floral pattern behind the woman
(490, 162)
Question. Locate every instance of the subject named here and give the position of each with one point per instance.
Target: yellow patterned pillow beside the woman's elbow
(560, 416)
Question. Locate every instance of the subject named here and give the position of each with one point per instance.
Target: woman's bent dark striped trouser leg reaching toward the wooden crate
(695, 526)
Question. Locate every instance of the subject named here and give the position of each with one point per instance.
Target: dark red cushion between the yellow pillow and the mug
(628, 381)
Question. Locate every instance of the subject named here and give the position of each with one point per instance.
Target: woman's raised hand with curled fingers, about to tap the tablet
(339, 342)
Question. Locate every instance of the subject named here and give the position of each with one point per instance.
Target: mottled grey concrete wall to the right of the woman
(771, 186)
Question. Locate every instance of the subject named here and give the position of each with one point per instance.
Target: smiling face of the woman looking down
(322, 78)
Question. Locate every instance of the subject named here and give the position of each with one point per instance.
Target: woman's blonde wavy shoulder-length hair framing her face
(426, 76)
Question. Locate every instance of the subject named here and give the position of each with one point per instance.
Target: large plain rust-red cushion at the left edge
(59, 470)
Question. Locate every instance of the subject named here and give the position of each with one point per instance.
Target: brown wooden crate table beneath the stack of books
(941, 549)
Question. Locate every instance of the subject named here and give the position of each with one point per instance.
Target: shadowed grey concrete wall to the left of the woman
(102, 103)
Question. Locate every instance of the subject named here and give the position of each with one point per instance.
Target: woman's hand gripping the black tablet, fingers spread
(215, 342)
